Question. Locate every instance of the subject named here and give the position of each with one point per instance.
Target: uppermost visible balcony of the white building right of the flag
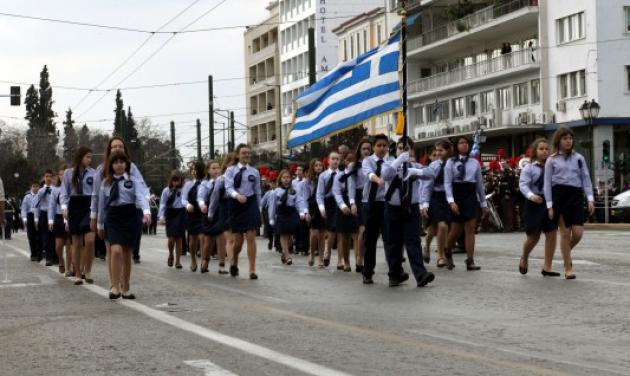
(495, 22)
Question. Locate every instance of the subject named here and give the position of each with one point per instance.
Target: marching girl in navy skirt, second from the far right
(531, 185)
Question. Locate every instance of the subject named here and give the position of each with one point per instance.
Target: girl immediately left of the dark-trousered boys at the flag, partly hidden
(364, 150)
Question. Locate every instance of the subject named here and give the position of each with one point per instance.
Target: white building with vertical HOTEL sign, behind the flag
(296, 17)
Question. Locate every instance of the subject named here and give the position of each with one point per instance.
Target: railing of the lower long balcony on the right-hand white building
(507, 62)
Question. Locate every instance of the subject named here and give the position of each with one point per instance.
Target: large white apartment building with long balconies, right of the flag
(518, 69)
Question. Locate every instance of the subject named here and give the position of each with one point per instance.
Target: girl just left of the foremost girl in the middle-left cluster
(211, 229)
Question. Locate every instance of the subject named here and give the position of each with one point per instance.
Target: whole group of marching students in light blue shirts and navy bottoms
(344, 202)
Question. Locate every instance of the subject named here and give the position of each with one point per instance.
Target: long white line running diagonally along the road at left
(287, 360)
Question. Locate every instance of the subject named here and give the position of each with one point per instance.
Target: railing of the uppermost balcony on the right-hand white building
(470, 22)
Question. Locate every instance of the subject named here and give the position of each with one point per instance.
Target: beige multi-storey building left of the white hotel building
(262, 86)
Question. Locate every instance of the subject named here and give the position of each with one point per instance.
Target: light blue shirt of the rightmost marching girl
(571, 171)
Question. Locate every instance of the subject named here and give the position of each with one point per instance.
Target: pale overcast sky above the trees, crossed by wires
(81, 57)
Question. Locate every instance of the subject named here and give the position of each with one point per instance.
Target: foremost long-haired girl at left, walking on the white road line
(120, 196)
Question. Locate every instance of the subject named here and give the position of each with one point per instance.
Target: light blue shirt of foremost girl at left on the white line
(131, 191)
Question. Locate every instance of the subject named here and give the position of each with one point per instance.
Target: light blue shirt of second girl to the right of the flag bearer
(452, 174)
